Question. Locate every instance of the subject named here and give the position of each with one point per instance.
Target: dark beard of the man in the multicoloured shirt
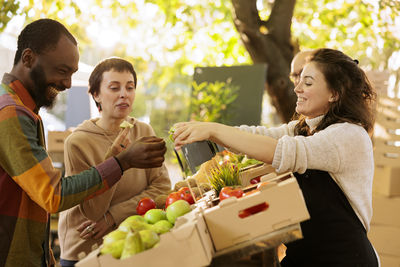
(43, 93)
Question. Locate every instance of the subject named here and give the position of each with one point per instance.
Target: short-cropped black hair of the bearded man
(41, 35)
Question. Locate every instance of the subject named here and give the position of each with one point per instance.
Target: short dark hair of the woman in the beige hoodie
(113, 63)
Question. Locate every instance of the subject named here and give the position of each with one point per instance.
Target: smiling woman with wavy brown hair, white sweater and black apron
(329, 150)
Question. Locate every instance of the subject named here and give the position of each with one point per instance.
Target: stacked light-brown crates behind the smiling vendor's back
(385, 224)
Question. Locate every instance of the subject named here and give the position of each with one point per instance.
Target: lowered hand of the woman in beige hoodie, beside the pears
(95, 230)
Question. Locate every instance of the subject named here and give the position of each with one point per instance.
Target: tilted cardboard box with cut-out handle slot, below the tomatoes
(286, 207)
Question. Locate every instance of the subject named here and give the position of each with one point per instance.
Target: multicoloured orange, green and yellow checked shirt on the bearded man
(30, 187)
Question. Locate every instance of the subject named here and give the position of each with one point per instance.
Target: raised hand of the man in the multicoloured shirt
(146, 152)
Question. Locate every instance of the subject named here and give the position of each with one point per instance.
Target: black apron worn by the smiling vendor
(334, 236)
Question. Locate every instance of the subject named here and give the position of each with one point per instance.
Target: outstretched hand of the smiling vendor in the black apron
(190, 132)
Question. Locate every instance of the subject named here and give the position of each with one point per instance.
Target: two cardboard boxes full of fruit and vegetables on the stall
(189, 225)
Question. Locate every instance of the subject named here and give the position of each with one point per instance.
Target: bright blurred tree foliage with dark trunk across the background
(166, 40)
